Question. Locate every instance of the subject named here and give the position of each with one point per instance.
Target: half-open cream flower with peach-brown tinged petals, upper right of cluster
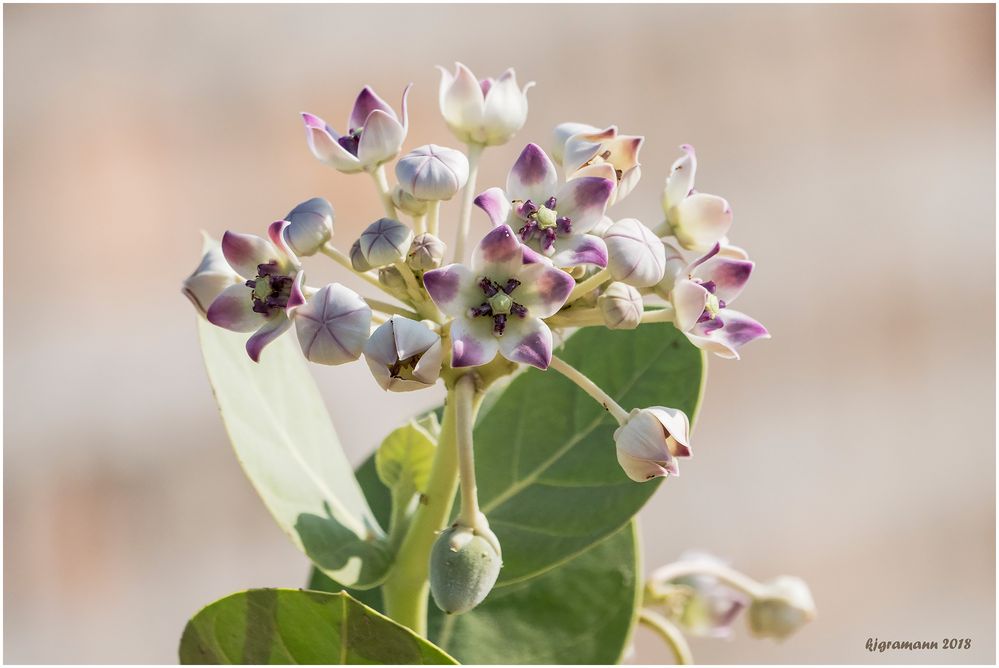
(585, 150)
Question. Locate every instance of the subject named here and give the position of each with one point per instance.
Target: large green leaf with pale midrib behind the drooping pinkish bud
(548, 476)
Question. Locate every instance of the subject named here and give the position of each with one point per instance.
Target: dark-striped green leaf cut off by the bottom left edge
(286, 626)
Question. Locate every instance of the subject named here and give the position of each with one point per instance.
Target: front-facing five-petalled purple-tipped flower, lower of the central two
(498, 303)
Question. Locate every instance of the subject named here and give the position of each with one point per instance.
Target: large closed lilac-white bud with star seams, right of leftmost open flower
(333, 325)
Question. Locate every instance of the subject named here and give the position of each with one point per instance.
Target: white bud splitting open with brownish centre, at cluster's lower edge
(404, 355)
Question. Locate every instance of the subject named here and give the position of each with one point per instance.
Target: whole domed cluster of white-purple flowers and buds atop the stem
(554, 259)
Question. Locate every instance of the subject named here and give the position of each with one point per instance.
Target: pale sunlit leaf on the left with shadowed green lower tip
(284, 440)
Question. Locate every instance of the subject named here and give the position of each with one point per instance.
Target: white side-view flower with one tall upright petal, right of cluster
(697, 220)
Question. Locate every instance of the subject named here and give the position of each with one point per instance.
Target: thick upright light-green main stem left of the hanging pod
(406, 590)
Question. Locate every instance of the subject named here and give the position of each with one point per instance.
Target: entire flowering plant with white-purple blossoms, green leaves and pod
(571, 344)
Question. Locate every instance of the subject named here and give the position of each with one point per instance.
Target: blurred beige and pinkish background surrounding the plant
(855, 143)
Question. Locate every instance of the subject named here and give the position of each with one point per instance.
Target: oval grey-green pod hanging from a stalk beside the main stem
(464, 565)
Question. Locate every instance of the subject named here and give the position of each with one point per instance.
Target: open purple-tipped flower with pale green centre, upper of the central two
(551, 219)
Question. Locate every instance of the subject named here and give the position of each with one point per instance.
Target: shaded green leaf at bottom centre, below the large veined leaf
(581, 612)
